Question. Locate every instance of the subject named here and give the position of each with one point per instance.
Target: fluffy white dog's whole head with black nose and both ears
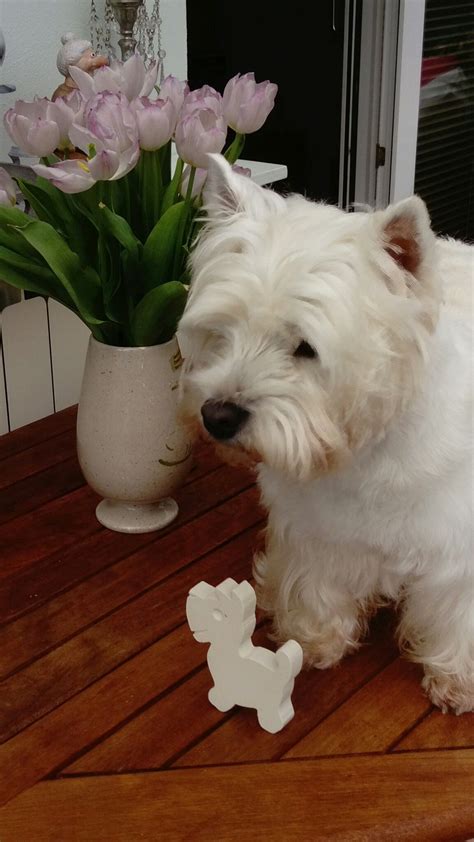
(306, 327)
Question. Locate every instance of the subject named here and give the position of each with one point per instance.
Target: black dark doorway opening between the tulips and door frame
(299, 45)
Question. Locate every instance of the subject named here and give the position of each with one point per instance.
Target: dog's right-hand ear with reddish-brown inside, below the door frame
(405, 233)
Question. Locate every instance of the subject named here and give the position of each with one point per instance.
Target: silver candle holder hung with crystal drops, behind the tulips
(132, 24)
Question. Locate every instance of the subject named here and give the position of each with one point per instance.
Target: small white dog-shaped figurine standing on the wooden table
(243, 674)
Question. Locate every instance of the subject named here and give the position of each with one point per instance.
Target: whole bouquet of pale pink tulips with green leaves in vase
(113, 221)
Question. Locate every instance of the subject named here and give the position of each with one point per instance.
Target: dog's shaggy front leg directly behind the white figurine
(317, 594)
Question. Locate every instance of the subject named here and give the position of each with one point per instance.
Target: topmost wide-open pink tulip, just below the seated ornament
(131, 78)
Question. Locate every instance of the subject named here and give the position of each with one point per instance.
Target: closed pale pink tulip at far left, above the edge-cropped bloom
(40, 127)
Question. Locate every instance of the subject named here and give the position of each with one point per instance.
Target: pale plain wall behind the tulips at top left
(33, 29)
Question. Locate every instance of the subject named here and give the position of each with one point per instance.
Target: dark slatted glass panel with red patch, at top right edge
(444, 158)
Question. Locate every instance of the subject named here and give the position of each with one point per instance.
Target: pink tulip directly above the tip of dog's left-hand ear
(197, 134)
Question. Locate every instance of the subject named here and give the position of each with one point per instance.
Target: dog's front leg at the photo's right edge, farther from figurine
(438, 629)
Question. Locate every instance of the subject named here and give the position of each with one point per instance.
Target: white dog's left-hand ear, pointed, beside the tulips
(227, 192)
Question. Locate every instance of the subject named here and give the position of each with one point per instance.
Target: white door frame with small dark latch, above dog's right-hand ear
(389, 97)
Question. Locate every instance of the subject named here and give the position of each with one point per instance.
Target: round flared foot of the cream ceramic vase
(136, 517)
